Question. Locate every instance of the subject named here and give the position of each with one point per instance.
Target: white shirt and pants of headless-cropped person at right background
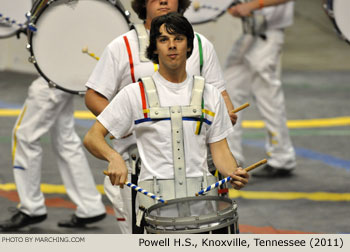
(253, 67)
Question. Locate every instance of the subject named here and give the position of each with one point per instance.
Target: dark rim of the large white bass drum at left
(33, 20)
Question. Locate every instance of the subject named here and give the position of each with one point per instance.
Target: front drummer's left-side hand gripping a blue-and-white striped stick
(117, 171)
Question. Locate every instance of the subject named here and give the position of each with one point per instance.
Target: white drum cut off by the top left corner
(13, 16)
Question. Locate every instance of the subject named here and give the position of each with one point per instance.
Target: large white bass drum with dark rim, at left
(58, 32)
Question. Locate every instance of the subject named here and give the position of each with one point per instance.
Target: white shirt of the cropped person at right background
(279, 16)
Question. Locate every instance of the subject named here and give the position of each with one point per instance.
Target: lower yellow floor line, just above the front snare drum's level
(315, 196)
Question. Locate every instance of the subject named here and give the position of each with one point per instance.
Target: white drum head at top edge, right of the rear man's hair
(202, 11)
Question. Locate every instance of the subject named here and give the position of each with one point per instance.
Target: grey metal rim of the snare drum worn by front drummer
(191, 220)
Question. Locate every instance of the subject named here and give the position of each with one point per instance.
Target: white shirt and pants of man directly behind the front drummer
(114, 71)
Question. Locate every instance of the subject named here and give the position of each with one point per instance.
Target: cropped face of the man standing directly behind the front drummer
(155, 8)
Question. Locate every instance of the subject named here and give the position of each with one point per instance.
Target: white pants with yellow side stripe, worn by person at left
(45, 110)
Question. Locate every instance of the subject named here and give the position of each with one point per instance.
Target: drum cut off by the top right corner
(338, 12)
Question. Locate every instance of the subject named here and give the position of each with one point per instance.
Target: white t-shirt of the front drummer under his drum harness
(124, 114)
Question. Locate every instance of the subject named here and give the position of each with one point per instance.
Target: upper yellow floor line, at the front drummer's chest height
(255, 124)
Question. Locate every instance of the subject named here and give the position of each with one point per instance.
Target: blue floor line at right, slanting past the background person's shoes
(309, 154)
